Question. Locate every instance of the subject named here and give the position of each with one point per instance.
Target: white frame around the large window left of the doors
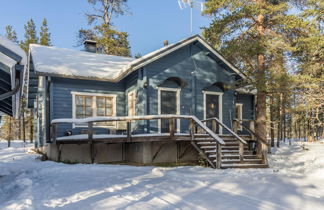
(94, 106)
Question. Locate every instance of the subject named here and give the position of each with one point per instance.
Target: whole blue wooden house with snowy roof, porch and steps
(174, 105)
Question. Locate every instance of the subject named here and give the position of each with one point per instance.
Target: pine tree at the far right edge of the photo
(309, 79)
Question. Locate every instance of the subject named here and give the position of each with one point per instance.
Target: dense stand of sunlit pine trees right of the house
(282, 53)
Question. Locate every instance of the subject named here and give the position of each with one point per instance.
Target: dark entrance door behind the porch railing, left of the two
(168, 105)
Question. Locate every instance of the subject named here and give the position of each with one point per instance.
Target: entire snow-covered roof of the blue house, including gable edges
(69, 63)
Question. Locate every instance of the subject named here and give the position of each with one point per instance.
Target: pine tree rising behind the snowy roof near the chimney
(109, 40)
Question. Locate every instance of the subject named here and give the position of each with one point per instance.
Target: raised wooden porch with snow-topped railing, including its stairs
(218, 151)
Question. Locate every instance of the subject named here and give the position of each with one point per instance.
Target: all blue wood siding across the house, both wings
(193, 64)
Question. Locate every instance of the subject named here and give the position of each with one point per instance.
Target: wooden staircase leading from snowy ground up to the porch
(230, 155)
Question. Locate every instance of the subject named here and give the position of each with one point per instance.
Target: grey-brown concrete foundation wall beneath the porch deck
(137, 153)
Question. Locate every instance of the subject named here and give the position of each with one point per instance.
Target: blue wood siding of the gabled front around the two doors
(191, 64)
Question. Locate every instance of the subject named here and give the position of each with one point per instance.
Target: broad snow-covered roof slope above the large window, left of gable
(77, 64)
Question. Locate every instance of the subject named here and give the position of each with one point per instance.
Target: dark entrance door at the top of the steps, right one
(212, 104)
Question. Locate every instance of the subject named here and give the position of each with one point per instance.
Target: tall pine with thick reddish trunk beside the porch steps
(252, 34)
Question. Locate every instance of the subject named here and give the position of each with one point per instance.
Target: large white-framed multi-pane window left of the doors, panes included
(94, 105)
